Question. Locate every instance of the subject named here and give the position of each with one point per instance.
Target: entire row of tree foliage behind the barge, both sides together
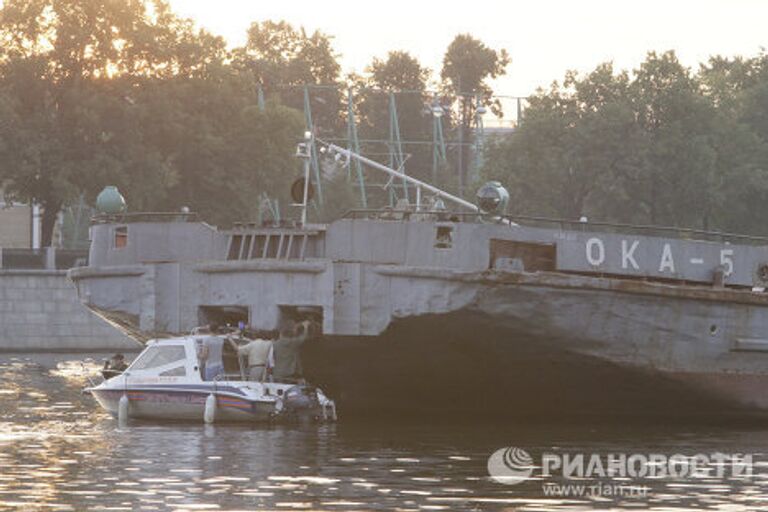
(125, 92)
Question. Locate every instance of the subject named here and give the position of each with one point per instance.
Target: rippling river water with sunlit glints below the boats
(59, 451)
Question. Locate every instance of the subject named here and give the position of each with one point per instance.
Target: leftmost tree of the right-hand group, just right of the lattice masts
(571, 156)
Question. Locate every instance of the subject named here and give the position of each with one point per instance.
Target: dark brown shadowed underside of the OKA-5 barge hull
(445, 367)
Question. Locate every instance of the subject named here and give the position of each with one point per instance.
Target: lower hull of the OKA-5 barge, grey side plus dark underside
(530, 349)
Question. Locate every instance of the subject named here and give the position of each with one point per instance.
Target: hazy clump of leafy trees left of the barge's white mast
(124, 92)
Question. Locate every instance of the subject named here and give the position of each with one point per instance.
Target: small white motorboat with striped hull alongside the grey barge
(168, 381)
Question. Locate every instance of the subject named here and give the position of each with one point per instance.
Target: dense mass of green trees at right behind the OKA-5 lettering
(661, 145)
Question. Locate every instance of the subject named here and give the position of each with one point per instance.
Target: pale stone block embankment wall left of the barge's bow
(40, 311)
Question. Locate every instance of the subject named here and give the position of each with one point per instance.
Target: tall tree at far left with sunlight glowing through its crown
(58, 63)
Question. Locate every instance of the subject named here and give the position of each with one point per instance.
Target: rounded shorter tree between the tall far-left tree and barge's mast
(209, 147)
